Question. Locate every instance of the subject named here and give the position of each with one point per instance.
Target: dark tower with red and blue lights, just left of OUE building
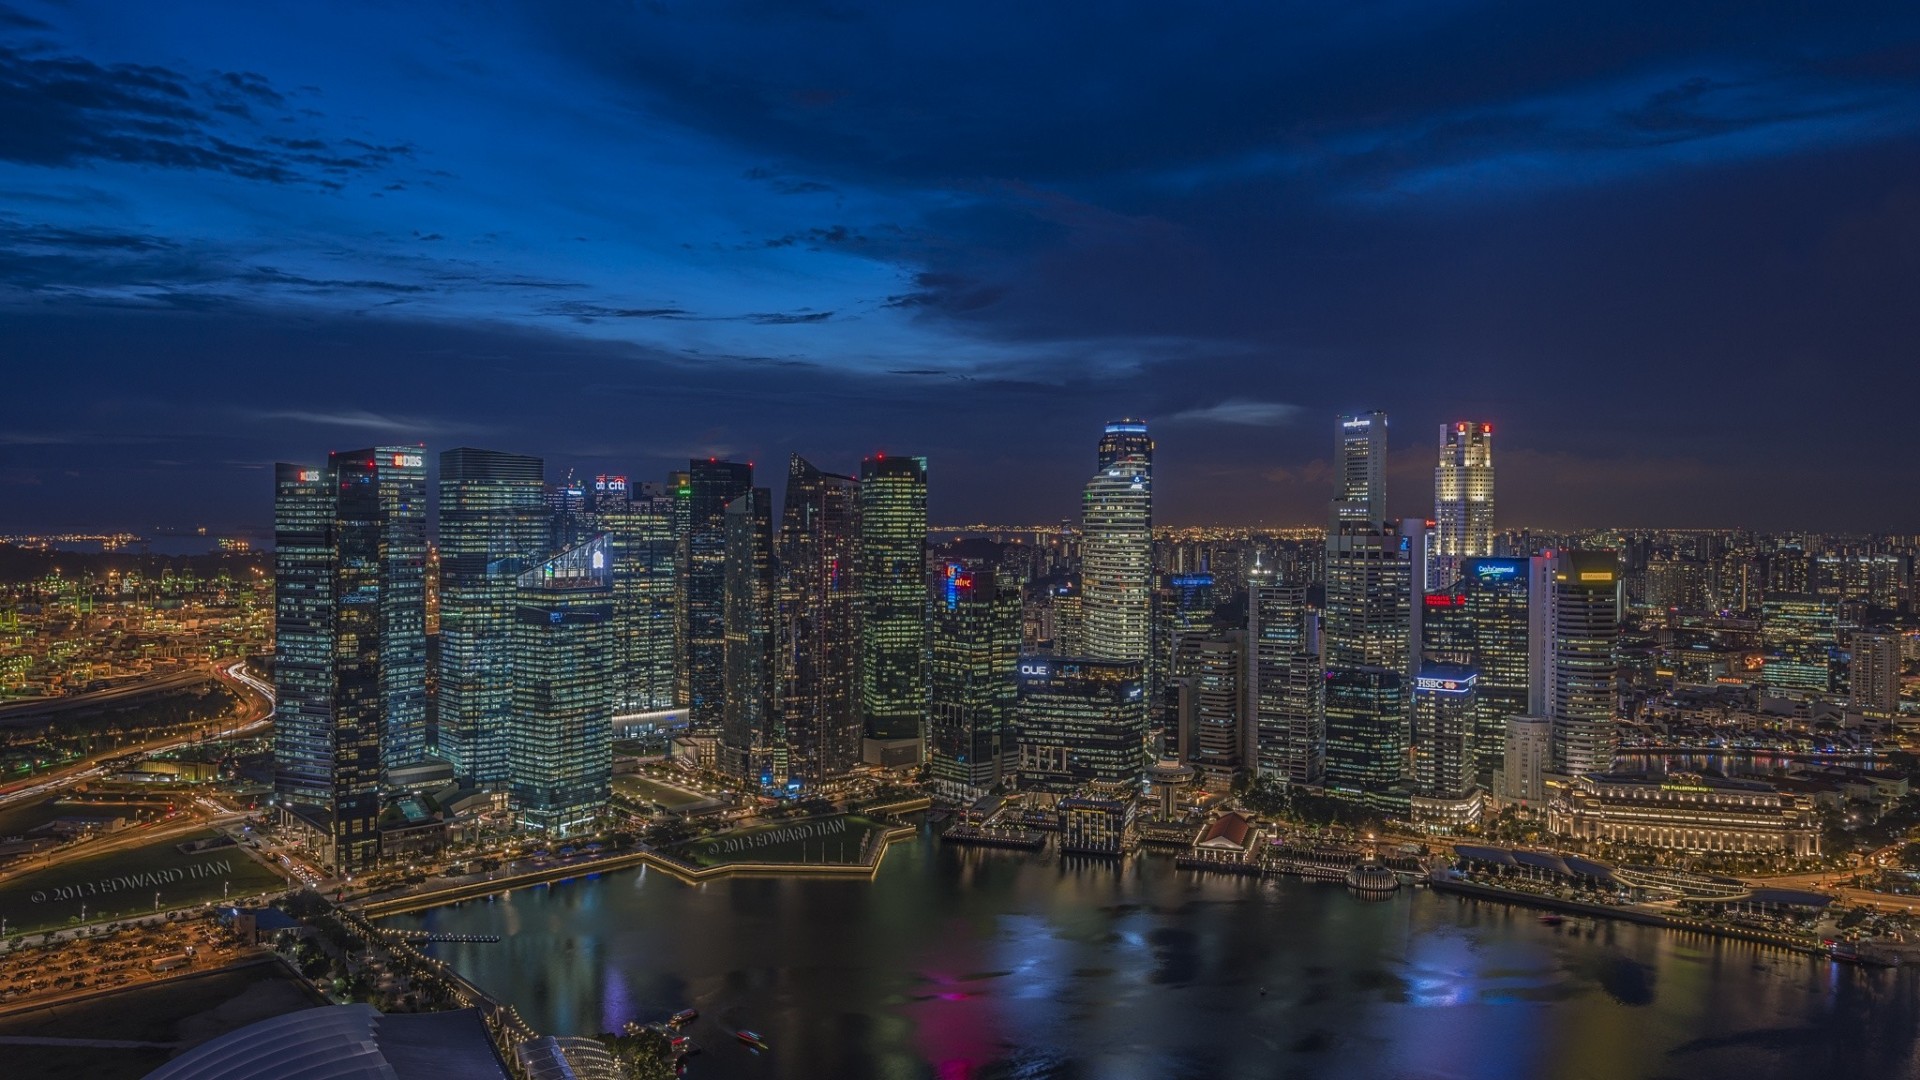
(976, 650)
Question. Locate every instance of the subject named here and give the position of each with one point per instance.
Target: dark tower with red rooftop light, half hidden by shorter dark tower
(711, 487)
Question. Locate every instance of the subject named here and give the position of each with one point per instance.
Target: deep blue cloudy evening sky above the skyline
(1675, 258)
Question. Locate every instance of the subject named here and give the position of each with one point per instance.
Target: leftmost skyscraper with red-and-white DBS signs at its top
(350, 641)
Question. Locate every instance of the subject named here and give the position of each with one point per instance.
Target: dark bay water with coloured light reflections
(965, 964)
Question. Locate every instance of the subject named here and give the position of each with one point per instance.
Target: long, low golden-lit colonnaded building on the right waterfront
(1687, 814)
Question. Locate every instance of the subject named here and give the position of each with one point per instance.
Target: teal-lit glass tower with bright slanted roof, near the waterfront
(560, 754)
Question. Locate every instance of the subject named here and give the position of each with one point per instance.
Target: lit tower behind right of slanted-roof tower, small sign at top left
(640, 531)
